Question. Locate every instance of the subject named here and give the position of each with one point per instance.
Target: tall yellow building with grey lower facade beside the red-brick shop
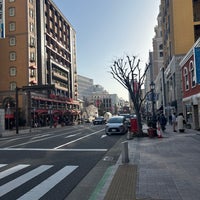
(180, 29)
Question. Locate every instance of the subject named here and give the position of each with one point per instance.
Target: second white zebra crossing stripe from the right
(4, 189)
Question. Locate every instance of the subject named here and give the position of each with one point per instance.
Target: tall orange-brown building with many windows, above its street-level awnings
(39, 48)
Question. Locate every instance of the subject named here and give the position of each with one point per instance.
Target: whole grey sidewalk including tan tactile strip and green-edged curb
(167, 168)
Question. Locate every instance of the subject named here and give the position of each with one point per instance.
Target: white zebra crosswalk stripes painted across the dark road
(41, 188)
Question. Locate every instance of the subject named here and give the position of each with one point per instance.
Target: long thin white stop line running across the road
(39, 149)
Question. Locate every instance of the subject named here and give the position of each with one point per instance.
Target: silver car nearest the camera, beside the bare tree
(116, 125)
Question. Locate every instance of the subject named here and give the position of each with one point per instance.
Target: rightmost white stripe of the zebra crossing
(41, 189)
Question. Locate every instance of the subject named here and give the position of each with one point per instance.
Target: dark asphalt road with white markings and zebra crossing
(50, 164)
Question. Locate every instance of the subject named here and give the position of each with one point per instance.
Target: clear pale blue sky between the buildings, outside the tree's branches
(107, 30)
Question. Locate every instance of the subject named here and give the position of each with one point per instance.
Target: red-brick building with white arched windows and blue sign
(190, 69)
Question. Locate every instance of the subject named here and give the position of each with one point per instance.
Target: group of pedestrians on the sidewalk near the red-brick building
(177, 122)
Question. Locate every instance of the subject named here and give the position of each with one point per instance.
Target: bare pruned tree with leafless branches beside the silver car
(128, 73)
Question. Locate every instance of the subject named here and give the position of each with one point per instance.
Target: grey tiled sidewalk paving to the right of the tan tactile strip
(169, 167)
